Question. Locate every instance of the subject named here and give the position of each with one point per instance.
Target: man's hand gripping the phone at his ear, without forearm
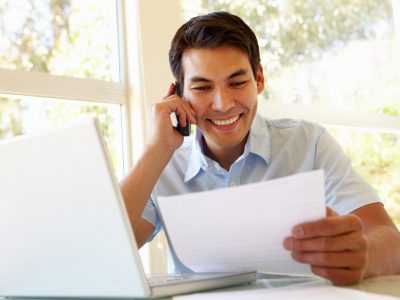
(163, 134)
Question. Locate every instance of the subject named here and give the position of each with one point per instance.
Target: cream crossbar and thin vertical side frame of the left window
(47, 86)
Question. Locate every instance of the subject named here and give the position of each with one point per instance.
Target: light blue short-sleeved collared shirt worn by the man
(275, 148)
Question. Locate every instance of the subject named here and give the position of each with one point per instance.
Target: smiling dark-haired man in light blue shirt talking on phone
(215, 60)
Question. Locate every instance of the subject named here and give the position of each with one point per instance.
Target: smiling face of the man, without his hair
(222, 90)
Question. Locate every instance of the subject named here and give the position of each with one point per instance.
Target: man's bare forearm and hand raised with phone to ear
(136, 187)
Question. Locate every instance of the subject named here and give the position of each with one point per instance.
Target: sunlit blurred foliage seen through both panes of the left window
(59, 37)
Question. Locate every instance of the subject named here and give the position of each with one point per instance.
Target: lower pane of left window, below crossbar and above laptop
(24, 115)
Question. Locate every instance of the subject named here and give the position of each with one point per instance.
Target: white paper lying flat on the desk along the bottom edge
(298, 292)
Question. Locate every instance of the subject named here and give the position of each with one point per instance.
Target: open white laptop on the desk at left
(64, 230)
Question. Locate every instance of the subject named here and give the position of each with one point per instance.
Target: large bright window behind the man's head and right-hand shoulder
(336, 63)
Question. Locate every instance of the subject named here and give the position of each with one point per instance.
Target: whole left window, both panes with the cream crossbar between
(60, 60)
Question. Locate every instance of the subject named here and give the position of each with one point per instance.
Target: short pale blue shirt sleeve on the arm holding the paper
(345, 189)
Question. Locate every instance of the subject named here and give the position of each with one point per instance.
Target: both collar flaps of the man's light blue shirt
(257, 143)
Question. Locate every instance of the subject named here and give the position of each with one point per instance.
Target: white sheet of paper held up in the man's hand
(242, 228)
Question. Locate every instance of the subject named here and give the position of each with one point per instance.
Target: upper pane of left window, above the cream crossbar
(70, 38)
